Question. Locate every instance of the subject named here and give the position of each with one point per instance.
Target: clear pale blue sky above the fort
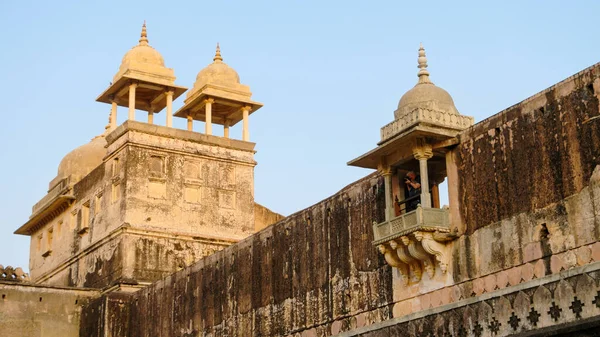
(330, 74)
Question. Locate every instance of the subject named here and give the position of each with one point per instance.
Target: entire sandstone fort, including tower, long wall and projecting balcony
(149, 230)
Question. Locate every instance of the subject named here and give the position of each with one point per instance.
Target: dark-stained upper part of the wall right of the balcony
(533, 154)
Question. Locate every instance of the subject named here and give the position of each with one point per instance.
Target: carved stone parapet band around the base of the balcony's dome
(426, 116)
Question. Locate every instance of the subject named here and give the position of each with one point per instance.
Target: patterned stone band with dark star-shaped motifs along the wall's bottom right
(564, 313)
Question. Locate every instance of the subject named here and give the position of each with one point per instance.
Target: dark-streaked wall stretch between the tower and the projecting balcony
(314, 269)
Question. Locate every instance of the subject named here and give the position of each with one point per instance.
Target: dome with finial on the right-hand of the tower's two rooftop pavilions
(218, 73)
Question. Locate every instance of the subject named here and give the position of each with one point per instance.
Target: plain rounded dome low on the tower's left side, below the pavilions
(81, 161)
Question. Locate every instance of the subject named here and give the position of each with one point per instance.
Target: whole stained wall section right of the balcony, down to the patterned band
(528, 195)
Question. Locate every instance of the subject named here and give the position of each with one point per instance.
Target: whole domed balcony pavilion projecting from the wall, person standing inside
(425, 127)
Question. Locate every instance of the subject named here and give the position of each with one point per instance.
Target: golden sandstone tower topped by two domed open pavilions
(143, 200)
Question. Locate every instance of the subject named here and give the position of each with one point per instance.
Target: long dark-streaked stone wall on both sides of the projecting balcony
(529, 195)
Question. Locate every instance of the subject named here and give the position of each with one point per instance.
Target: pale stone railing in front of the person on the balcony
(421, 219)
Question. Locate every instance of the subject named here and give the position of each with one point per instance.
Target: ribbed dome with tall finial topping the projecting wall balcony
(425, 94)
